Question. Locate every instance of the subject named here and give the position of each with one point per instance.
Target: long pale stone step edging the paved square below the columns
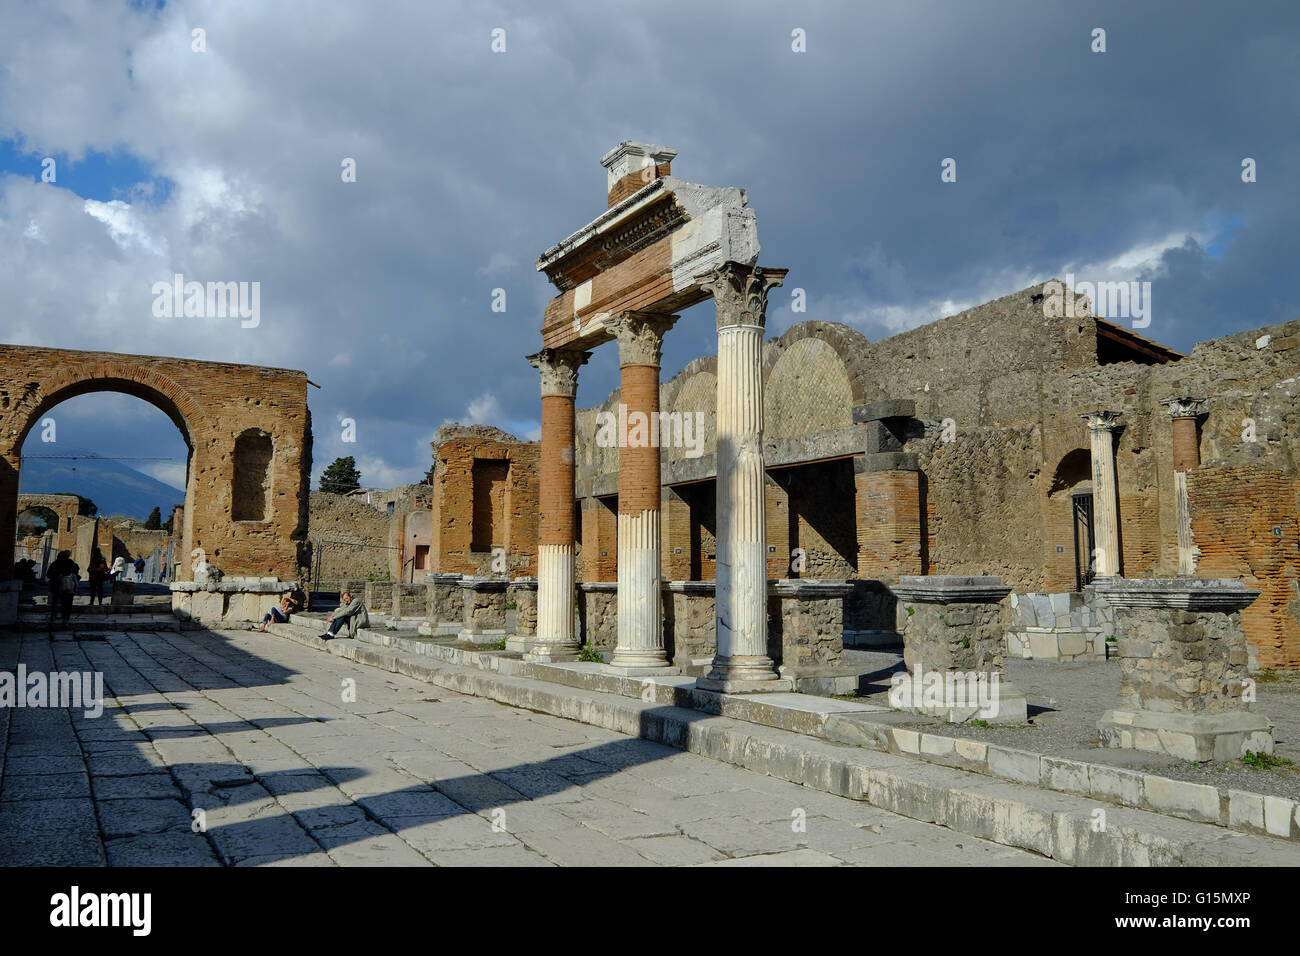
(1052, 823)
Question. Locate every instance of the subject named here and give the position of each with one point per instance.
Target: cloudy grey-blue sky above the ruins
(224, 165)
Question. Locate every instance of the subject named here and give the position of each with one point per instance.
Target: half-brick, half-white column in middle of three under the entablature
(640, 530)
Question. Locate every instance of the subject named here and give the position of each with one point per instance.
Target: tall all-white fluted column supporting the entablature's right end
(740, 296)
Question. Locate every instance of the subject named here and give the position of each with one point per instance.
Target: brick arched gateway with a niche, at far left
(249, 435)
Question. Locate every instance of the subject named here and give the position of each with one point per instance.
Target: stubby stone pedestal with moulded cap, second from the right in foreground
(954, 639)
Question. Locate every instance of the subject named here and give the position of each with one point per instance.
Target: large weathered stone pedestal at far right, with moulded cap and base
(1184, 663)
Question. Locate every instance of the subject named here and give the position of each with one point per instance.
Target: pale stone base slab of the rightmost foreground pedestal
(1188, 737)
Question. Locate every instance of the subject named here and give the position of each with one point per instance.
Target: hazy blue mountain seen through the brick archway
(115, 488)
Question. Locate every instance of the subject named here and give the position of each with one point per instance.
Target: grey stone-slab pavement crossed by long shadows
(257, 734)
